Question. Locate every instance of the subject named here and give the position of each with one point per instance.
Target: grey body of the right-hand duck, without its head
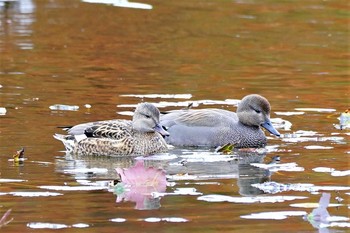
(210, 127)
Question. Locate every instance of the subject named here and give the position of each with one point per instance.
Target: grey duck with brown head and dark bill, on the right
(217, 127)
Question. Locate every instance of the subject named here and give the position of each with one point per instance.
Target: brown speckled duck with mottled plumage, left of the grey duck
(141, 136)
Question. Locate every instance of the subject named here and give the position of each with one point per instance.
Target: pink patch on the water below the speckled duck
(137, 184)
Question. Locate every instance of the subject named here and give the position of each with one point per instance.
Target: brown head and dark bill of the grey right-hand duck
(254, 110)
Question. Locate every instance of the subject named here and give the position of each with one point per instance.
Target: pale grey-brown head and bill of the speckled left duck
(146, 119)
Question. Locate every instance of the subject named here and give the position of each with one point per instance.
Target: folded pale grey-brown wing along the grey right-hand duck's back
(198, 118)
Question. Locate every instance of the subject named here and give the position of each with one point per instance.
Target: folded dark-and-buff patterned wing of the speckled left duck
(115, 129)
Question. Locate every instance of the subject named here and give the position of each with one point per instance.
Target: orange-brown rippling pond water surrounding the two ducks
(101, 60)
